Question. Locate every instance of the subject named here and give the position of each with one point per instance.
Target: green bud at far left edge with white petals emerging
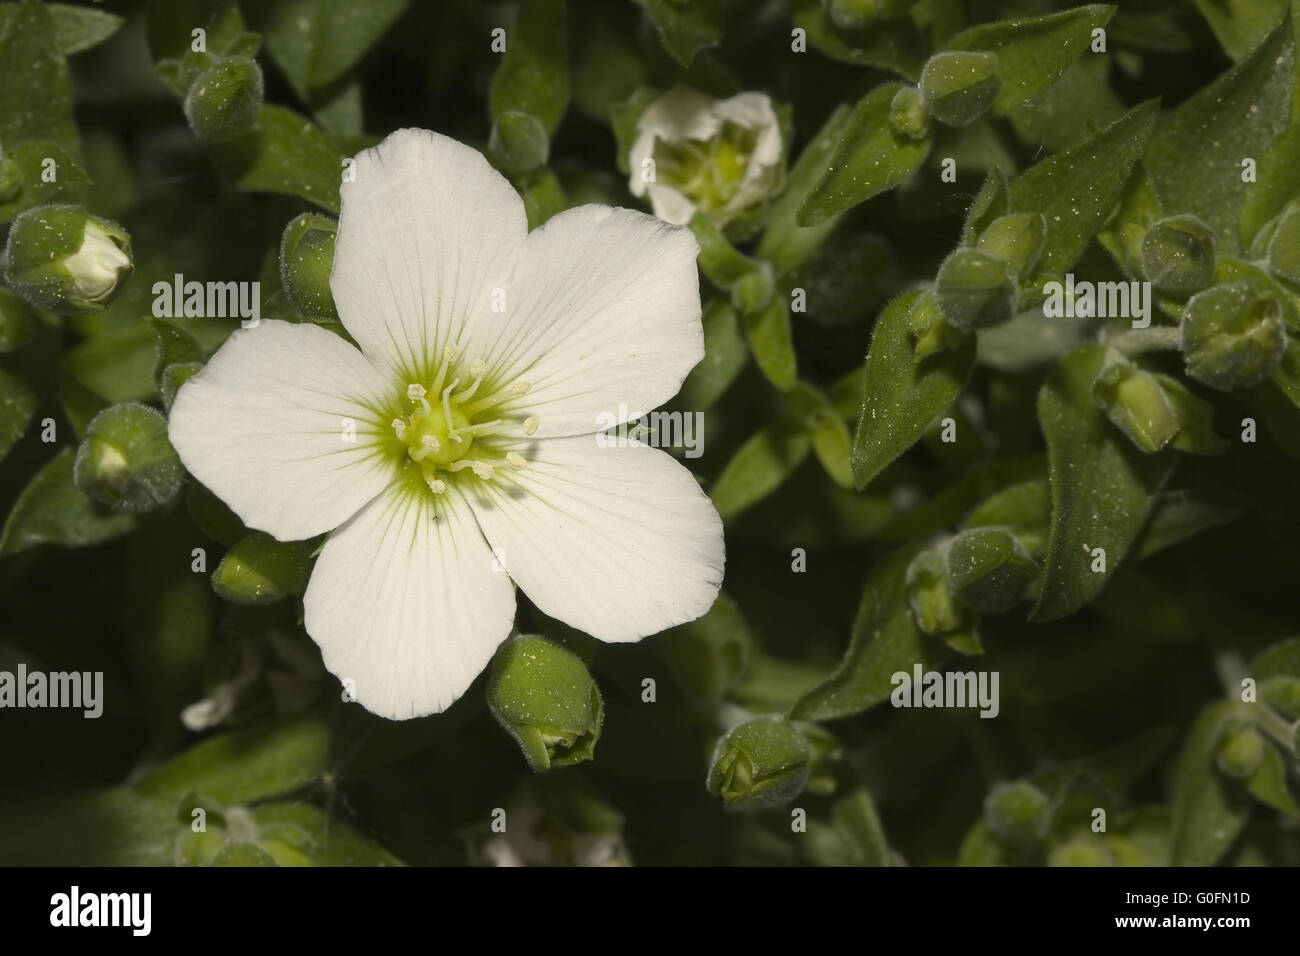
(63, 259)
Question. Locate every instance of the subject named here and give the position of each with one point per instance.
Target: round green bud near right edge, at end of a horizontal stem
(1233, 336)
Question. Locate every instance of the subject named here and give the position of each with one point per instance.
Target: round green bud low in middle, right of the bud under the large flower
(760, 764)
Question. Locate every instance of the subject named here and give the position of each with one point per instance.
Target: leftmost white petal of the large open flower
(266, 427)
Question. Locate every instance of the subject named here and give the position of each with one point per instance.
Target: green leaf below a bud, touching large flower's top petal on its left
(285, 154)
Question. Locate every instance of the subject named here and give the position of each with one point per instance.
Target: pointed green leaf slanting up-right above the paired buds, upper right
(1076, 191)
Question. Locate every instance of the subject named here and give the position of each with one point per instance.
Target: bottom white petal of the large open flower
(405, 604)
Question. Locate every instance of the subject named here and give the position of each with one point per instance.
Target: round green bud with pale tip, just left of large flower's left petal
(127, 462)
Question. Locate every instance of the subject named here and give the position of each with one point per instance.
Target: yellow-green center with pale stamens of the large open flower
(449, 426)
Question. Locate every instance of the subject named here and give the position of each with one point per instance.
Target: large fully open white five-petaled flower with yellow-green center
(461, 438)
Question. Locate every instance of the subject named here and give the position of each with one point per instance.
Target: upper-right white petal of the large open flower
(603, 312)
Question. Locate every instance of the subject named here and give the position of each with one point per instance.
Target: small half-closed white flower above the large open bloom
(721, 157)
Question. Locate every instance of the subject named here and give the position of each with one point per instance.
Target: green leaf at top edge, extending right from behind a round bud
(1034, 51)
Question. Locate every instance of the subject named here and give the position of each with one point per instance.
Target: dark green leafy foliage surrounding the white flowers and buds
(1116, 691)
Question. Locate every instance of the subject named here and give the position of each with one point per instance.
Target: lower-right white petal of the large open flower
(617, 542)
